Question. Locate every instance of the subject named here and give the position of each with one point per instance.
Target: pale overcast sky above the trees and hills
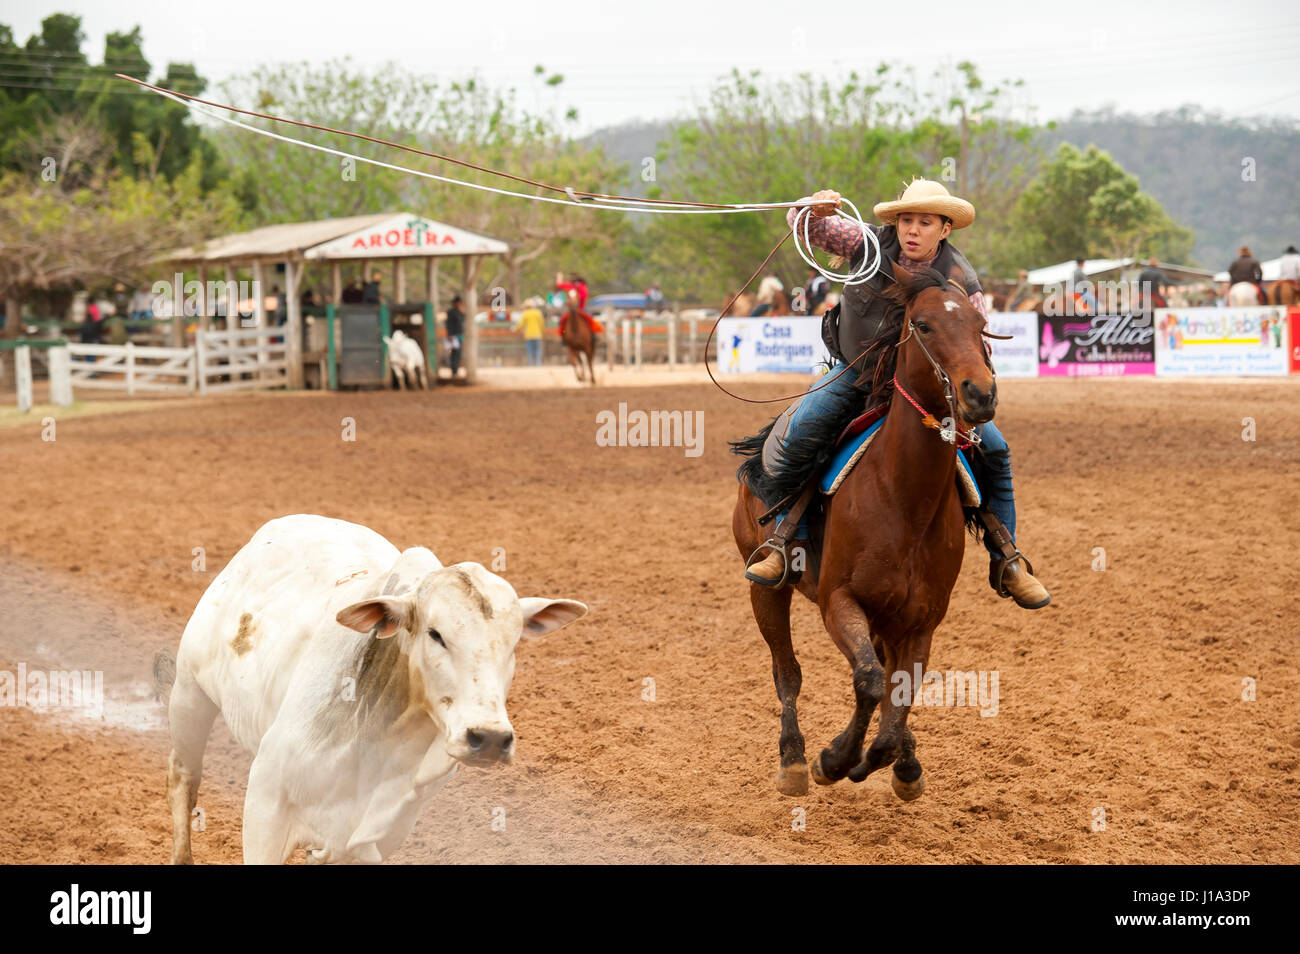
(656, 59)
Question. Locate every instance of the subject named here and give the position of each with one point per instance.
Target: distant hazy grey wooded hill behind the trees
(1189, 161)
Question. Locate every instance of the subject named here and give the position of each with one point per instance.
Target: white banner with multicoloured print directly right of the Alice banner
(1221, 341)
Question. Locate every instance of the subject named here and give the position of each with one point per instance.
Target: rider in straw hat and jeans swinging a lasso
(916, 237)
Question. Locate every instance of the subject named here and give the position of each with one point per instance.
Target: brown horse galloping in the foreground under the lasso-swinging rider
(892, 544)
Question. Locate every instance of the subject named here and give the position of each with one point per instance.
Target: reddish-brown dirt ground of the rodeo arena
(1125, 696)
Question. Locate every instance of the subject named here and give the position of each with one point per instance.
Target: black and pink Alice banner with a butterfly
(1097, 346)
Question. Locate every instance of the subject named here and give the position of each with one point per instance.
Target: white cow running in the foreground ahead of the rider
(359, 678)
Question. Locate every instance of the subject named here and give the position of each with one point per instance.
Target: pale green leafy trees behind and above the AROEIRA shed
(466, 120)
